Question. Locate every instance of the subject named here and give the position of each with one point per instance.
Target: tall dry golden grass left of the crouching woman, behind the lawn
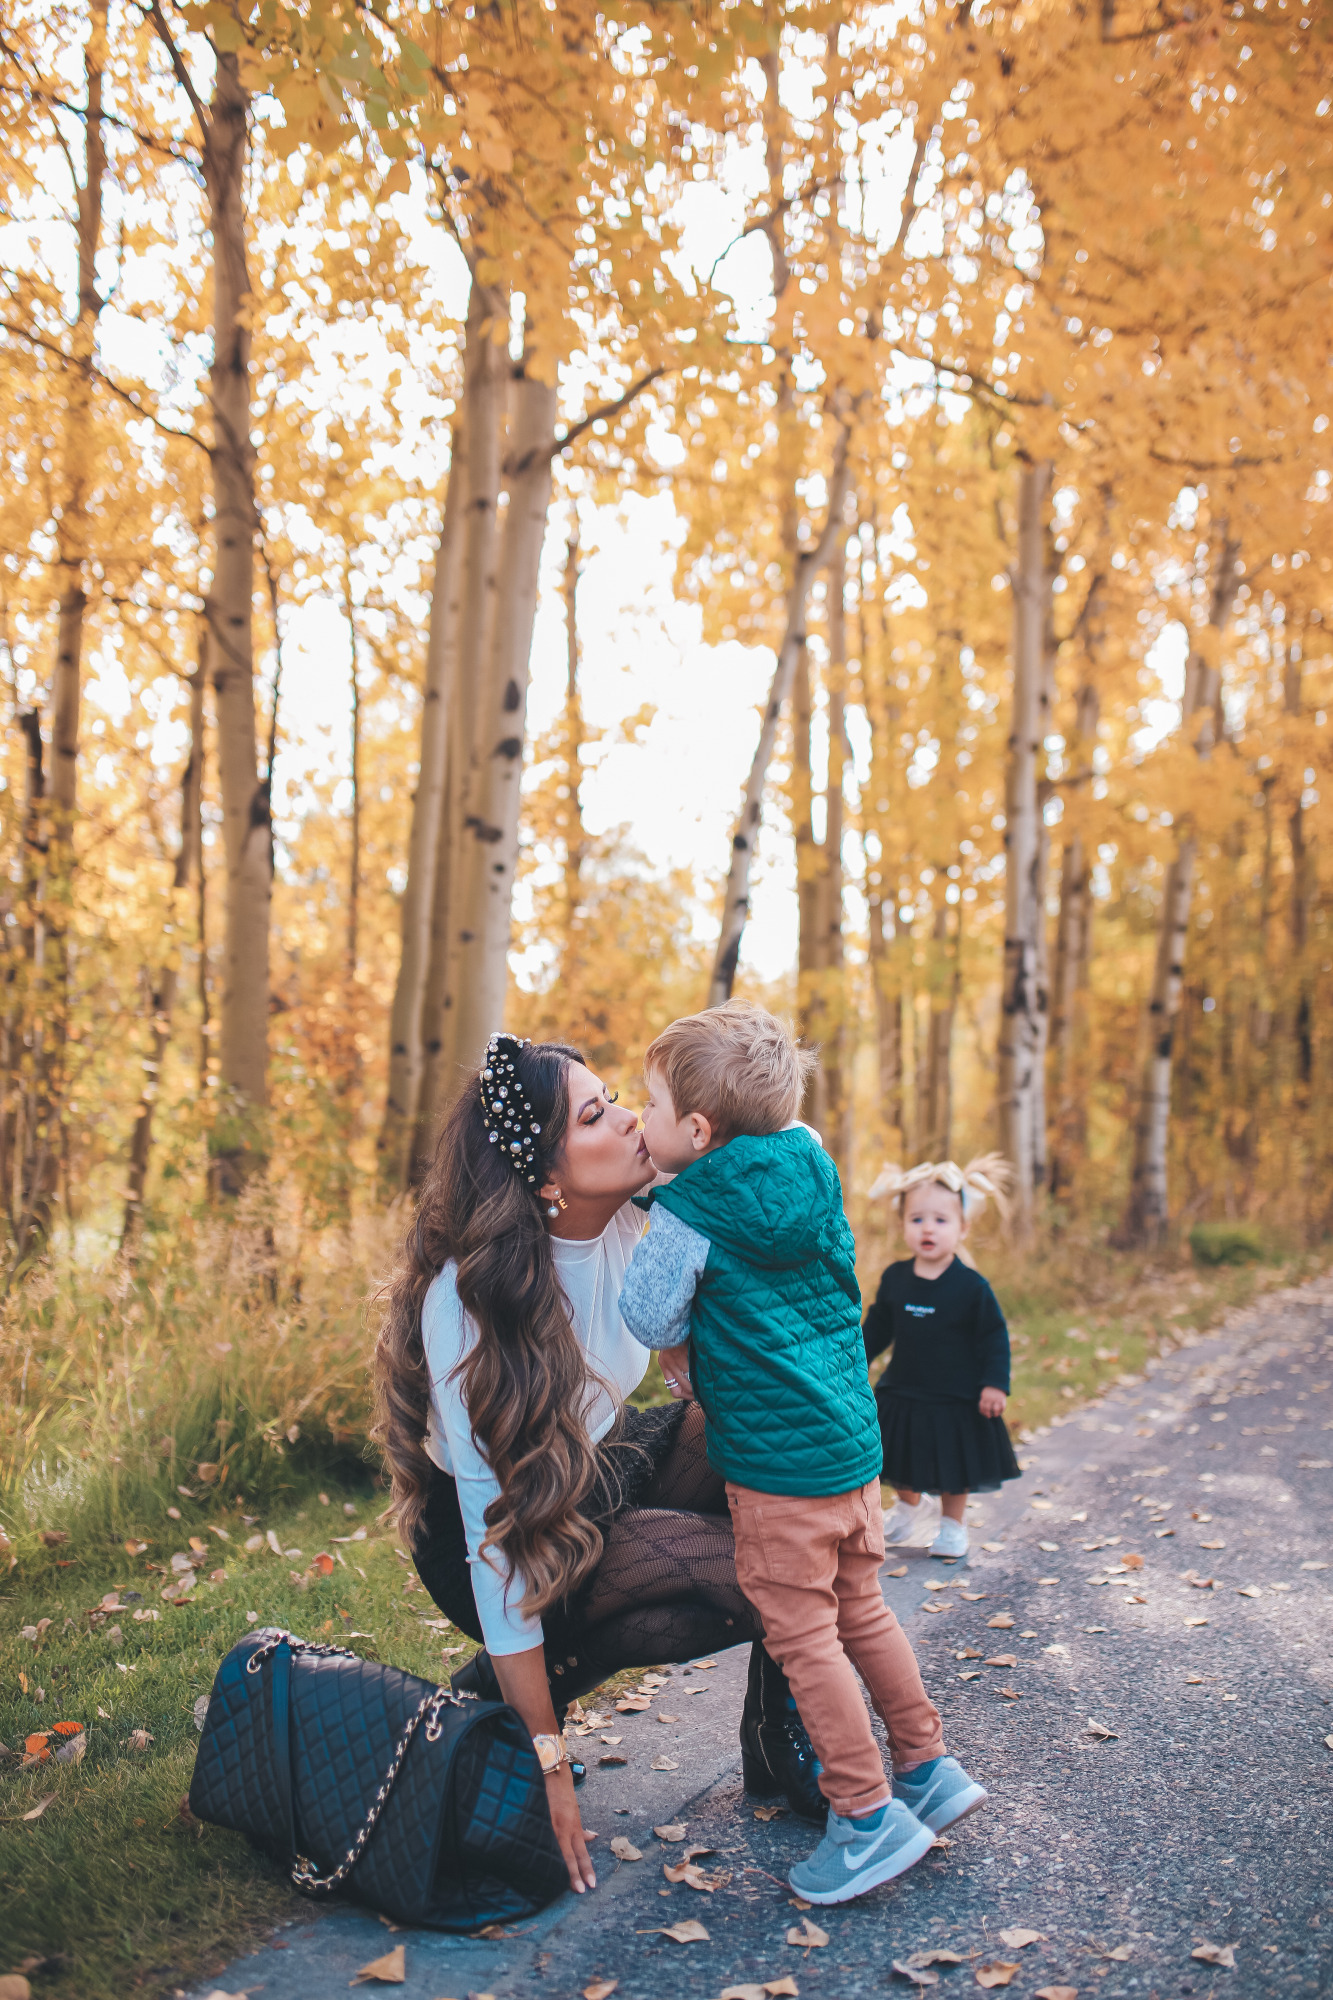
(231, 1359)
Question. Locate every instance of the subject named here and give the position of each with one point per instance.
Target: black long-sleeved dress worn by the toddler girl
(950, 1341)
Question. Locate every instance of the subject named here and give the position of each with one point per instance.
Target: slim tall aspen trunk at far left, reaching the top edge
(53, 989)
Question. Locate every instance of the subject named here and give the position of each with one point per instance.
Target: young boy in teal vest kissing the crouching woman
(746, 1283)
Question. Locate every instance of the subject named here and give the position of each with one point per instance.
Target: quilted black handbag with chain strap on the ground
(419, 1803)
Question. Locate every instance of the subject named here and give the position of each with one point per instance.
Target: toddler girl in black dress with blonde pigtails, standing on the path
(942, 1399)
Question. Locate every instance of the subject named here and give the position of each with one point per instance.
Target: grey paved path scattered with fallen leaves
(1166, 1567)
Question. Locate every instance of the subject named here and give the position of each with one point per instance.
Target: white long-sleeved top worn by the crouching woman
(591, 1275)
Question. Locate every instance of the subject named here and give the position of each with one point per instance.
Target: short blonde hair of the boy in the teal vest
(734, 1063)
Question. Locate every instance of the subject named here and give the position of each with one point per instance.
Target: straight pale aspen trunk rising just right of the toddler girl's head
(1024, 1001)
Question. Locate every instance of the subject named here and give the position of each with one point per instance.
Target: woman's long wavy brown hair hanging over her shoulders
(525, 1379)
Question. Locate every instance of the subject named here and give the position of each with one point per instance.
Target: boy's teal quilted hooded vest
(778, 1355)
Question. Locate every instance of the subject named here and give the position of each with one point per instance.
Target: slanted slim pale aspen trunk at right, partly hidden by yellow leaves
(1146, 1215)
